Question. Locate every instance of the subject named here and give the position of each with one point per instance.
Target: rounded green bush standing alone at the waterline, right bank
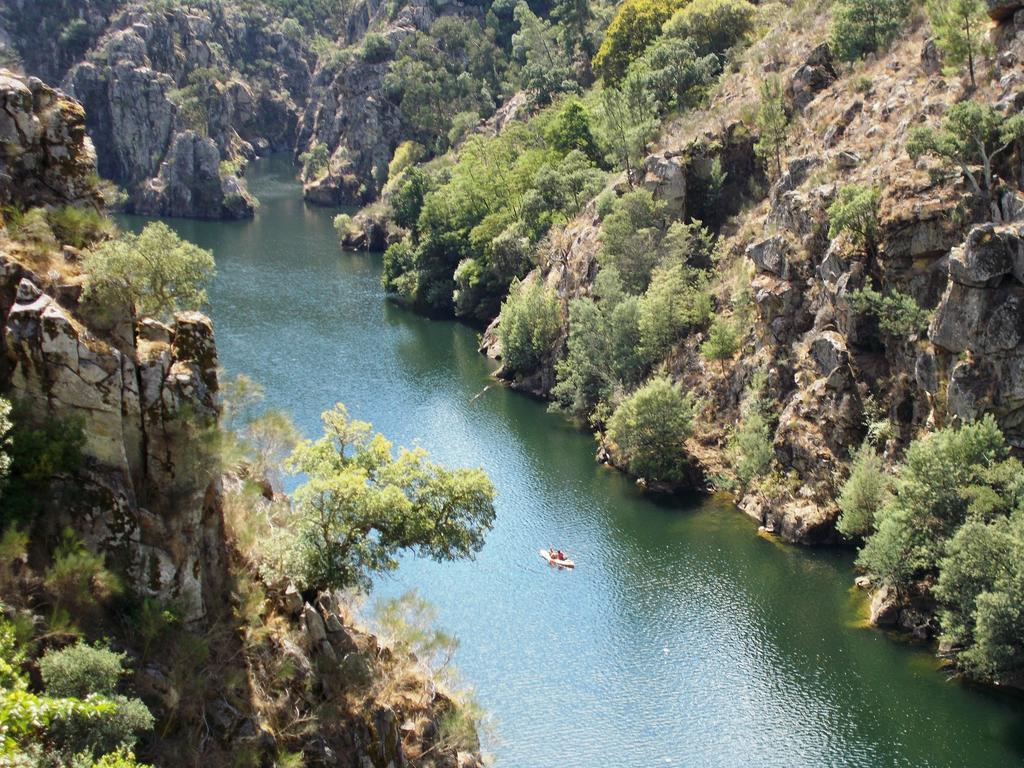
(648, 431)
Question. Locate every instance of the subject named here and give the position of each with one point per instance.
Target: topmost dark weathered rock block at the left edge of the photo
(46, 156)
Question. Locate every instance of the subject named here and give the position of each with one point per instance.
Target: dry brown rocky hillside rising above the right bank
(832, 368)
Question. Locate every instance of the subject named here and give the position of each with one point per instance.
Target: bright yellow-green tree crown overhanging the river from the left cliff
(361, 506)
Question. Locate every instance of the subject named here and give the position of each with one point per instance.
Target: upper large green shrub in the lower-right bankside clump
(947, 479)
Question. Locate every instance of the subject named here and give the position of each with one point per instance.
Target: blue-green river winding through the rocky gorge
(681, 639)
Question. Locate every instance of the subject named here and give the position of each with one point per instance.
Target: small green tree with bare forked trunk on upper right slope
(971, 135)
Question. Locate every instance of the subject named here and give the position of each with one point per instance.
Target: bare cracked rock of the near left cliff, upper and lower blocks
(143, 392)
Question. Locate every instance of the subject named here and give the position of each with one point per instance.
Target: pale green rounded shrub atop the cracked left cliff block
(157, 272)
